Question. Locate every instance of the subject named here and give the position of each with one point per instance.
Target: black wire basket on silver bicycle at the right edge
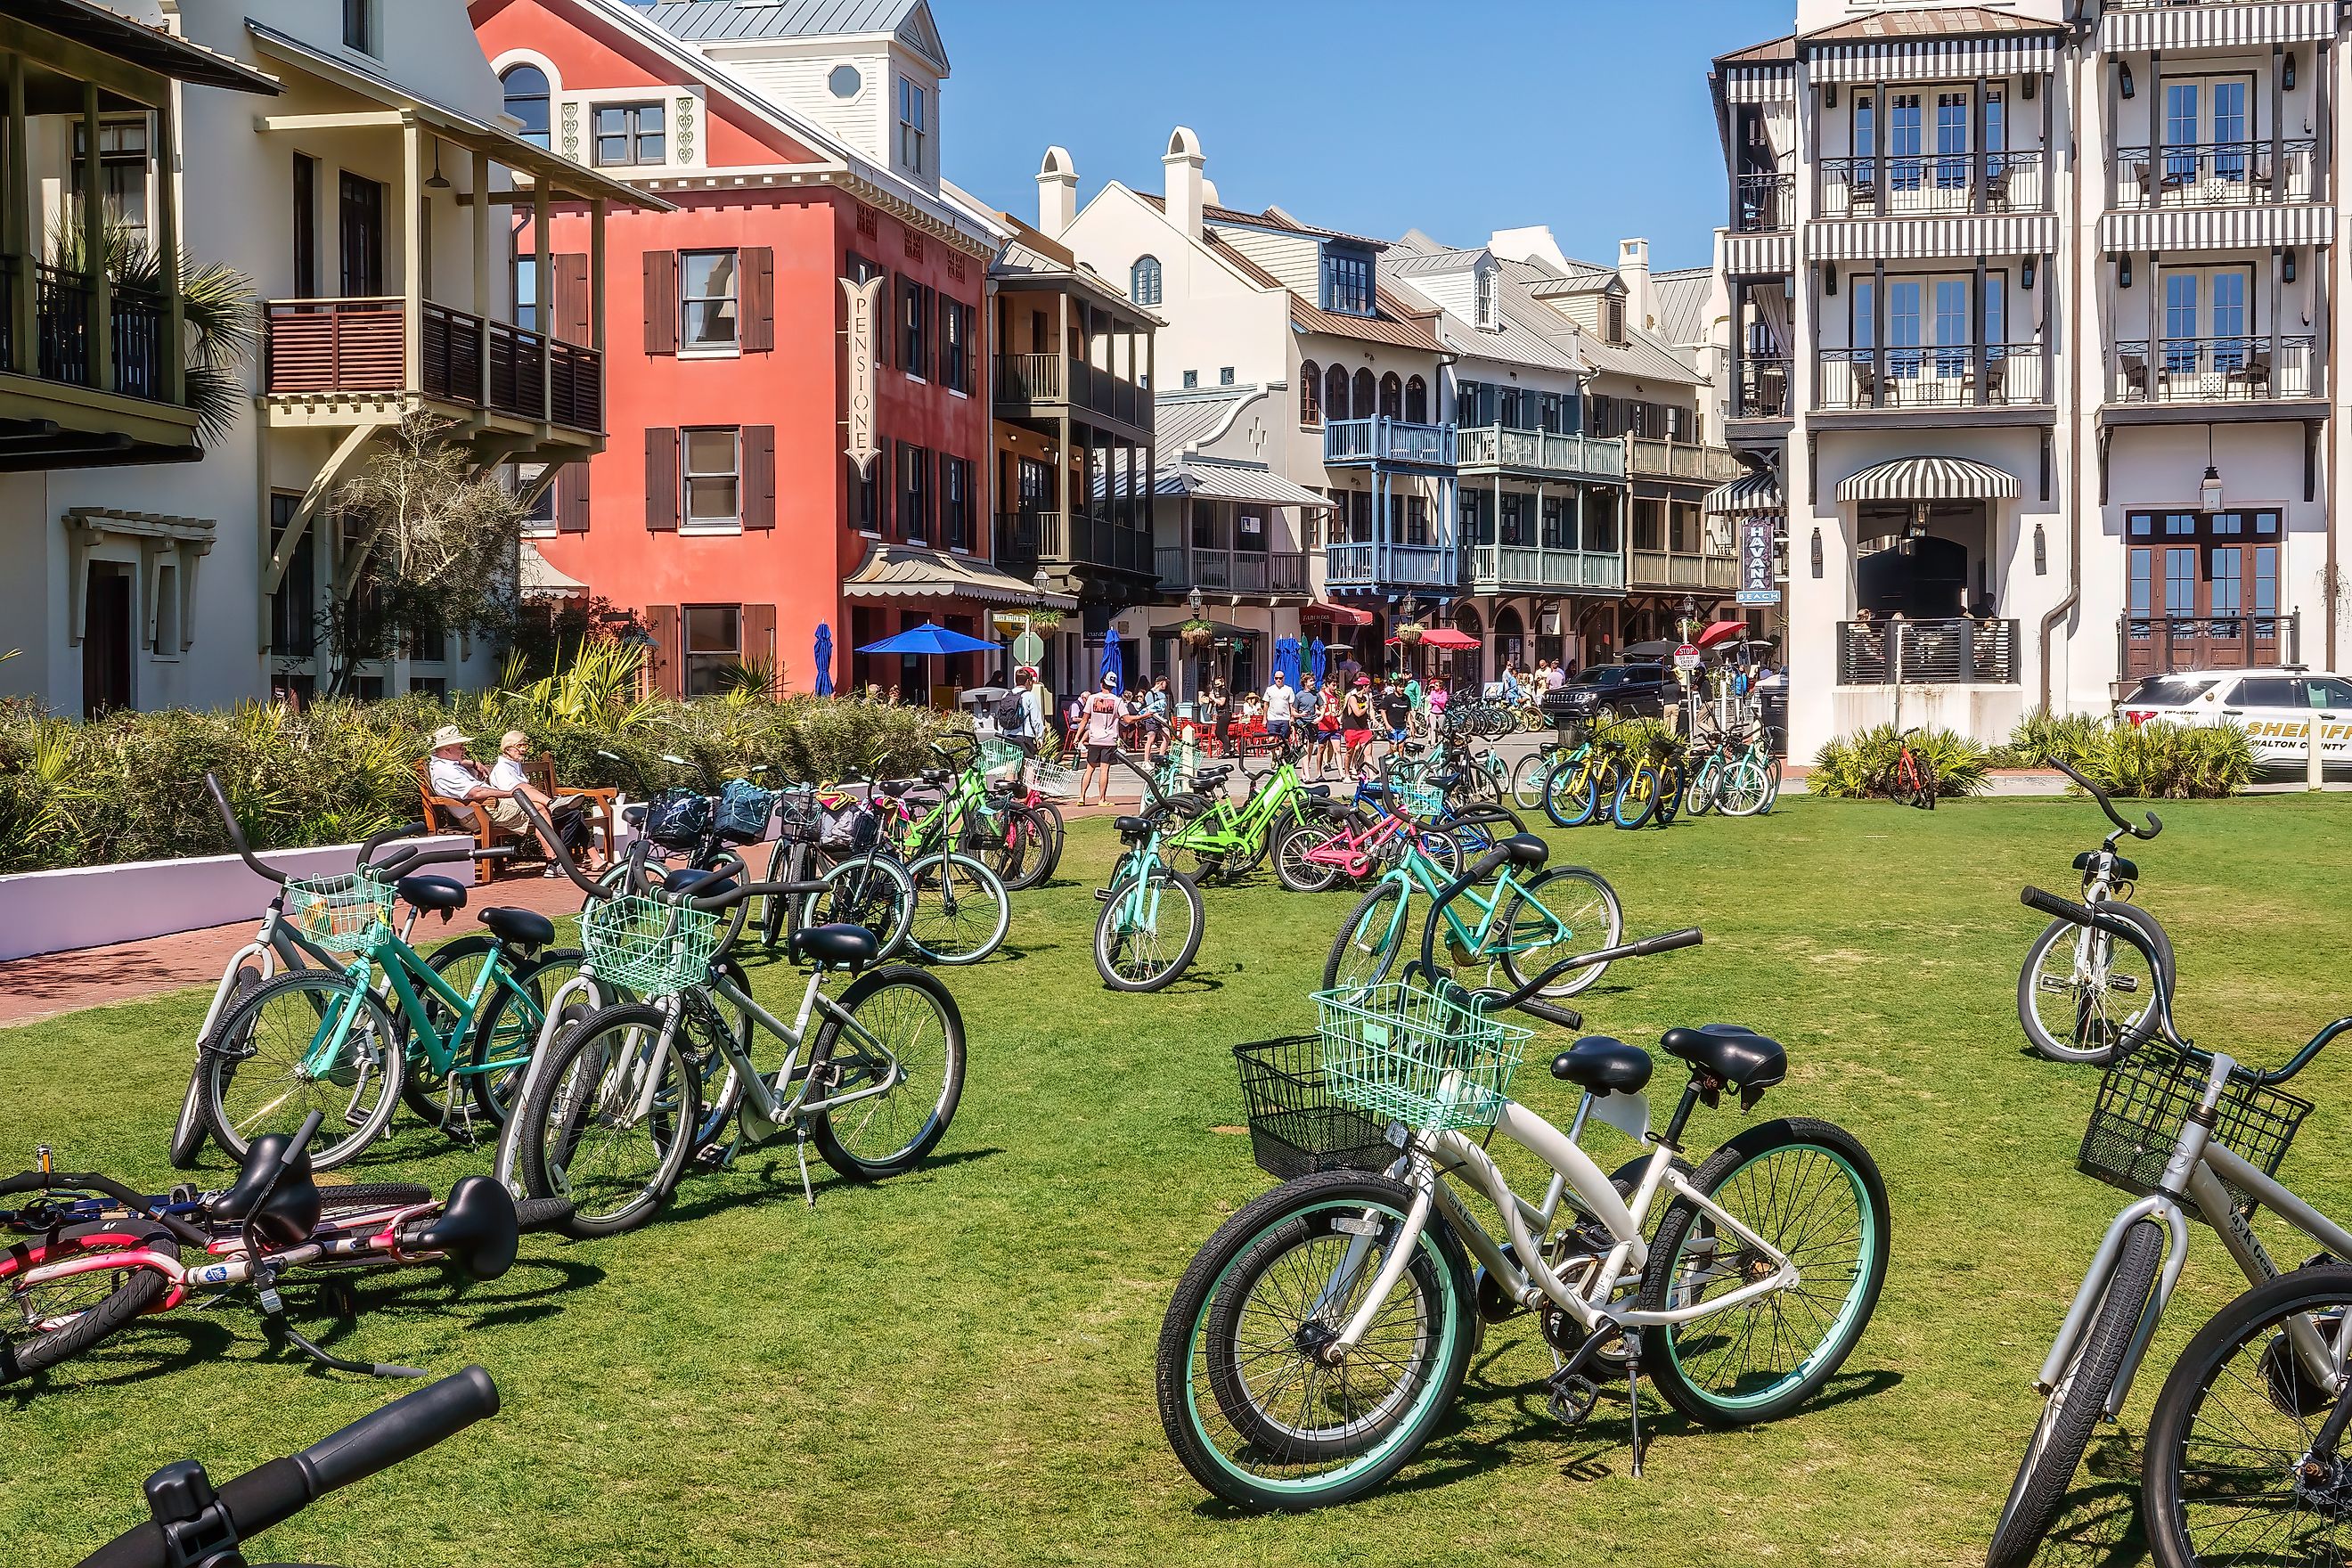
(2146, 1097)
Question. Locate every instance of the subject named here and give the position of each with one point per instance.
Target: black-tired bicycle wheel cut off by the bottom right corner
(2231, 1470)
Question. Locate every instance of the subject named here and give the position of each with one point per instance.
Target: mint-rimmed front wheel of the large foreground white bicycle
(1248, 1402)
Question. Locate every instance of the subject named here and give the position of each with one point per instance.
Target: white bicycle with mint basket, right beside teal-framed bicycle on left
(617, 1106)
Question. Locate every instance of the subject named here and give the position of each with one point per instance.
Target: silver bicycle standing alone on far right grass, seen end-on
(2078, 974)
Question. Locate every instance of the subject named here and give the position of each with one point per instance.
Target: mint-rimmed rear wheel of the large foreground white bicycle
(1812, 1193)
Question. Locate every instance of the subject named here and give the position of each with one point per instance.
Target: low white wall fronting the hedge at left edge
(93, 906)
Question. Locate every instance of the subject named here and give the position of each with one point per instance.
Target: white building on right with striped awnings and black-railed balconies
(2031, 326)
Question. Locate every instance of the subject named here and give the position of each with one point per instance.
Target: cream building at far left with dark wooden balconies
(368, 203)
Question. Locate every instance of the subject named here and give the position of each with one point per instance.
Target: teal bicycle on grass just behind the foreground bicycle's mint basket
(1523, 927)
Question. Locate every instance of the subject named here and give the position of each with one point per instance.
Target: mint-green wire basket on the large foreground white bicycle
(1408, 1054)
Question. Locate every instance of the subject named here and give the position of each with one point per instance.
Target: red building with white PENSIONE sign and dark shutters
(803, 429)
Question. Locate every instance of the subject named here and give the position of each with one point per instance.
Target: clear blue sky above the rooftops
(1368, 116)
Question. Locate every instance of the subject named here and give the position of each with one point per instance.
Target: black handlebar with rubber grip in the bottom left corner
(187, 1510)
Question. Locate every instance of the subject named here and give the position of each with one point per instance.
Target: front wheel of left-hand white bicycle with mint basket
(582, 1134)
